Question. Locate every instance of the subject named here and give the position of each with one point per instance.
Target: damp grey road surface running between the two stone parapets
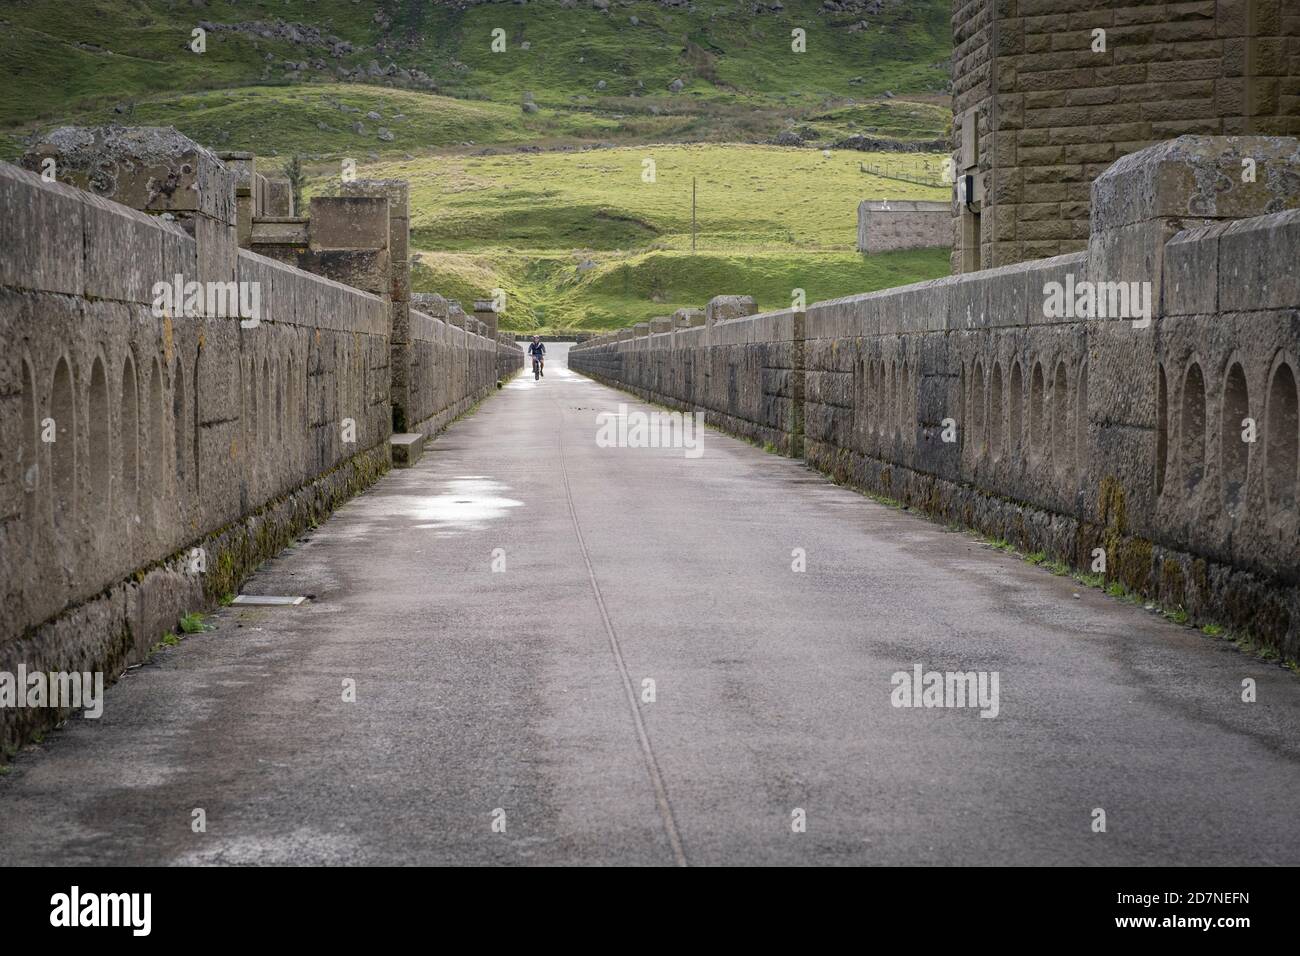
(504, 716)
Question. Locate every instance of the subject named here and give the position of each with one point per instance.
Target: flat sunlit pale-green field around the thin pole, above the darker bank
(748, 198)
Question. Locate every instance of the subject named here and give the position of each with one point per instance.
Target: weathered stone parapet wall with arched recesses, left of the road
(151, 460)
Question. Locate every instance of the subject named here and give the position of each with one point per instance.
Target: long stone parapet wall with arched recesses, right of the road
(1067, 435)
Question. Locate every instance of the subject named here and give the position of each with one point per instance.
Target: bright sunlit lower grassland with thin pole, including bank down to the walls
(579, 240)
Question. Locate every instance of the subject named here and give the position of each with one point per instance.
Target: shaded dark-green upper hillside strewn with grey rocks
(595, 75)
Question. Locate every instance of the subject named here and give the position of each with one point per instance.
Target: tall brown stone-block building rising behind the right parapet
(1050, 93)
